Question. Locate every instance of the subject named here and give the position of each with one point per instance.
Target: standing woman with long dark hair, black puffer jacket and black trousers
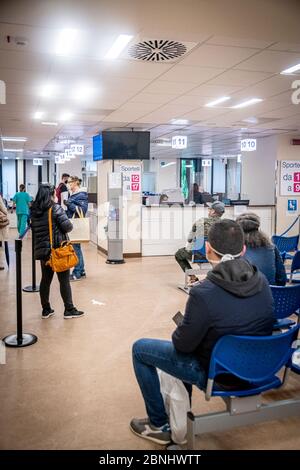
(61, 226)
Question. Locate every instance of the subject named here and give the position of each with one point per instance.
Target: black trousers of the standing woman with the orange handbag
(64, 284)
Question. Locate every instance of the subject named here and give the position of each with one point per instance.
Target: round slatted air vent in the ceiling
(157, 50)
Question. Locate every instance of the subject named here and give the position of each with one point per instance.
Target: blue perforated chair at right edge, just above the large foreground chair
(286, 303)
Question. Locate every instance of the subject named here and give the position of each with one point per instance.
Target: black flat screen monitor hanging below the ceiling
(118, 145)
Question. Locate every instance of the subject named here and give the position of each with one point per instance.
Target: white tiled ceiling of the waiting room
(235, 48)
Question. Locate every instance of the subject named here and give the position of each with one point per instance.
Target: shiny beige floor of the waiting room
(75, 388)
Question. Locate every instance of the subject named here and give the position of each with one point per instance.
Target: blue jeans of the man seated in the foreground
(149, 354)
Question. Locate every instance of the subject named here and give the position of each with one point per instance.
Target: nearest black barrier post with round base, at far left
(20, 339)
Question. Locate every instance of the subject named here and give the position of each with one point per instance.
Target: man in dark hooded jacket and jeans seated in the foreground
(235, 298)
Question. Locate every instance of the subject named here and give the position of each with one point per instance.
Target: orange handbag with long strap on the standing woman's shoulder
(62, 258)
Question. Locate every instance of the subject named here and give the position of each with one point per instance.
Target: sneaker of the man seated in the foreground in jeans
(143, 428)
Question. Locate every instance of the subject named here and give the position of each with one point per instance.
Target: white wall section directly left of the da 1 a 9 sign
(258, 172)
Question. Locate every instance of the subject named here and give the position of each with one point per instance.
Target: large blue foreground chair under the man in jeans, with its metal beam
(255, 361)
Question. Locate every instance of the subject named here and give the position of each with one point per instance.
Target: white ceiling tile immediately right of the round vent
(217, 56)
